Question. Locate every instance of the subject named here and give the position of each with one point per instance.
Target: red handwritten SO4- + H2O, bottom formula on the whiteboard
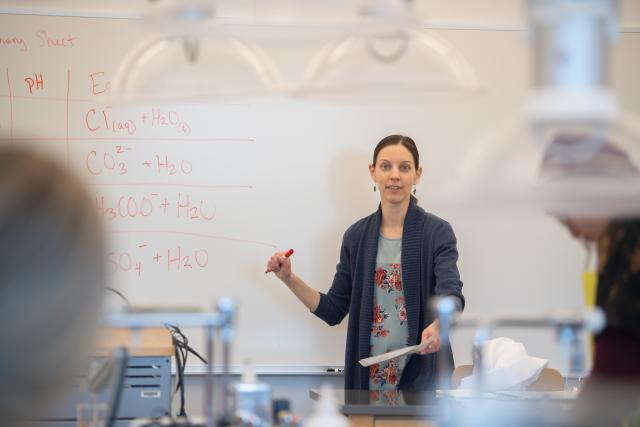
(171, 260)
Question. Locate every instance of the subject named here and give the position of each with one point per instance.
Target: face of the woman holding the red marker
(395, 174)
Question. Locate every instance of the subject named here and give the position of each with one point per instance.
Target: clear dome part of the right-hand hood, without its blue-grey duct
(566, 171)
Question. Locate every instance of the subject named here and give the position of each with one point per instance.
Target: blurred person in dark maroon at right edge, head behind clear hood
(611, 394)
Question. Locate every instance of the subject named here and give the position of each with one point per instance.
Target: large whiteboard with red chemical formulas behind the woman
(196, 197)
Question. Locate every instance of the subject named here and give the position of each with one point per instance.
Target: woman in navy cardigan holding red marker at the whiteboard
(391, 263)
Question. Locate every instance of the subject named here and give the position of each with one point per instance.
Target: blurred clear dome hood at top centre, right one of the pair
(388, 57)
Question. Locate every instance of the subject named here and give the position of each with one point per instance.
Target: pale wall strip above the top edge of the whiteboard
(490, 14)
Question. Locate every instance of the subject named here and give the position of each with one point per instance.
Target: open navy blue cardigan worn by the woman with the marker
(429, 257)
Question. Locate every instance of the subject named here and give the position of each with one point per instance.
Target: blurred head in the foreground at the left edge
(51, 280)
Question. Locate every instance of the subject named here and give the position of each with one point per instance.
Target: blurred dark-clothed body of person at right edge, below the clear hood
(611, 395)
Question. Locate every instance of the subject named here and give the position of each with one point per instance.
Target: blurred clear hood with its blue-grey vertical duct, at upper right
(574, 152)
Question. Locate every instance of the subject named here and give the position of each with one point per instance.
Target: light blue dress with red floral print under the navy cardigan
(389, 329)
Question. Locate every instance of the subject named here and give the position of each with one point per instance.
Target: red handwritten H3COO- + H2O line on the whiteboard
(129, 206)
